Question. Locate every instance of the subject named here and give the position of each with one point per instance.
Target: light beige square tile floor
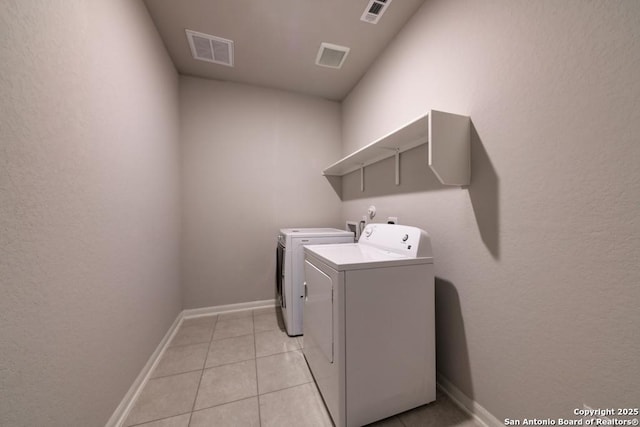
(241, 369)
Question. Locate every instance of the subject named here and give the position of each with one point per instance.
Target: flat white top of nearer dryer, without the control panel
(356, 256)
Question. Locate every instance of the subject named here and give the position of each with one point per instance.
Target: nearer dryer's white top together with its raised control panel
(380, 245)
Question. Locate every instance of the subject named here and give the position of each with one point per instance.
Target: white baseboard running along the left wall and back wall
(122, 411)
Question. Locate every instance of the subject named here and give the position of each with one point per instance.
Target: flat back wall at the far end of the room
(252, 162)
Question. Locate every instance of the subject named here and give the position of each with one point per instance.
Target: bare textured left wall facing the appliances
(89, 219)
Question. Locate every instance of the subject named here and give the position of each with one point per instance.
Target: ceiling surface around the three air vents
(276, 41)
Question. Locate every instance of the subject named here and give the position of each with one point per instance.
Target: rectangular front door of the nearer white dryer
(318, 313)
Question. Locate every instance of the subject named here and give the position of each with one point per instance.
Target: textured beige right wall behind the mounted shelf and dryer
(537, 261)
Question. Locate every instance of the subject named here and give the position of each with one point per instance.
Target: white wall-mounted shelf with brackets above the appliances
(448, 136)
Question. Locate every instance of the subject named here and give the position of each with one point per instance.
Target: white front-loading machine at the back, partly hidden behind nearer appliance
(290, 269)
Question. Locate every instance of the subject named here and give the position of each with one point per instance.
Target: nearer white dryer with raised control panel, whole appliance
(370, 324)
